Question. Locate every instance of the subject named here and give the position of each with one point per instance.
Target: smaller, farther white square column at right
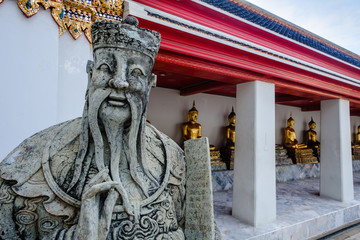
(336, 179)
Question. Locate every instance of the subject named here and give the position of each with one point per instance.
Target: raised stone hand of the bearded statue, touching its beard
(95, 214)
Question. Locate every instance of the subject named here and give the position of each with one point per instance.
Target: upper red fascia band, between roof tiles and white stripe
(207, 17)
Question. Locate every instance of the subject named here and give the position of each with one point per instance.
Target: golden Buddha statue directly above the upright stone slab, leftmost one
(191, 129)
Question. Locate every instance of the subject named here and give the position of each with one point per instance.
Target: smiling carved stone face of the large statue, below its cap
(126, 74)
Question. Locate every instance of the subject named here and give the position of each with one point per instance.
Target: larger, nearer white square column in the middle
(254, 194)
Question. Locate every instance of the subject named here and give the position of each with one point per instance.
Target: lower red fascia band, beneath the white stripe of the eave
(206, 50)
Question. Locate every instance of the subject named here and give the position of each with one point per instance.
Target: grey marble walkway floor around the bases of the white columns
(301, 213)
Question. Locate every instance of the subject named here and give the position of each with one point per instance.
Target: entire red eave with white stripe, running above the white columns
(200, 60)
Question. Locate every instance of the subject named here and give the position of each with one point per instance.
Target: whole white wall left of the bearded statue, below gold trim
(43, 76)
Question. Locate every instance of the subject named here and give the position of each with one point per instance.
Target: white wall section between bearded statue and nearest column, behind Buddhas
(167, 110)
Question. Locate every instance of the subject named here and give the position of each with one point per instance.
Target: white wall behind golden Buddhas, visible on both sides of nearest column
(167, 110)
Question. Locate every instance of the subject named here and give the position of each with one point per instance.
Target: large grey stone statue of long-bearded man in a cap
(108, 175)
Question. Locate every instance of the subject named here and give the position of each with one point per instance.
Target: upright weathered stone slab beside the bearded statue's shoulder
(199, 205)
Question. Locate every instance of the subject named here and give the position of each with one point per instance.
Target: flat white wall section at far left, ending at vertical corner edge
(28, 70)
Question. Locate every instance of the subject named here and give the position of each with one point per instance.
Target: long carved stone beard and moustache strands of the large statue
(134, 144)
